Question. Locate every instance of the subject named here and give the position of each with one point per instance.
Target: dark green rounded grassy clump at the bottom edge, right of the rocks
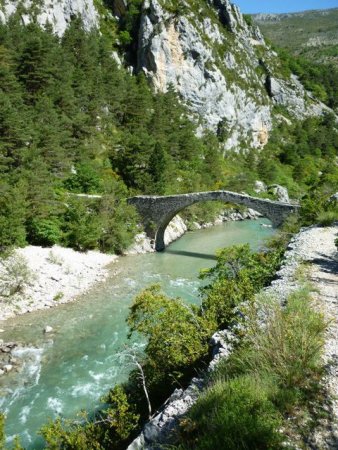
(234, 414)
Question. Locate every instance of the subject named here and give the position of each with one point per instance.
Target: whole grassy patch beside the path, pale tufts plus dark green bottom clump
(274, 374)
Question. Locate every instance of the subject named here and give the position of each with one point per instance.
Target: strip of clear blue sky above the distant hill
(278, 6)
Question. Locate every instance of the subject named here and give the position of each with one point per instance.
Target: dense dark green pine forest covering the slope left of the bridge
(107, 133)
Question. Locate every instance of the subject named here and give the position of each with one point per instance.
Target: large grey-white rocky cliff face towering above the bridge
(221, 66)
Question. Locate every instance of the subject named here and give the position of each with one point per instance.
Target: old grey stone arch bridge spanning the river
(157, 211)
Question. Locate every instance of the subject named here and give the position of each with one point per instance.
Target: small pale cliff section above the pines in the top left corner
(58, 13)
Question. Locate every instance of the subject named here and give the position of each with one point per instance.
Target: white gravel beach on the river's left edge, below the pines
(36, 278)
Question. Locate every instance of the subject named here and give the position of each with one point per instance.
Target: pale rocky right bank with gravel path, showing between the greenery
(314, 247)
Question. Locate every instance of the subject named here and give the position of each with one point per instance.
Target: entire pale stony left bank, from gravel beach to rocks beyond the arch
(36, 278)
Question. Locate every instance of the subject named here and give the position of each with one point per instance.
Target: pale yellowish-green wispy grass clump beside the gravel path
(287, 348)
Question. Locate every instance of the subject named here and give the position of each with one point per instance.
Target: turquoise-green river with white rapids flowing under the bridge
(74, 366)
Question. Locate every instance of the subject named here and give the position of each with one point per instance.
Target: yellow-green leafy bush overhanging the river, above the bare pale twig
(172, 345)
